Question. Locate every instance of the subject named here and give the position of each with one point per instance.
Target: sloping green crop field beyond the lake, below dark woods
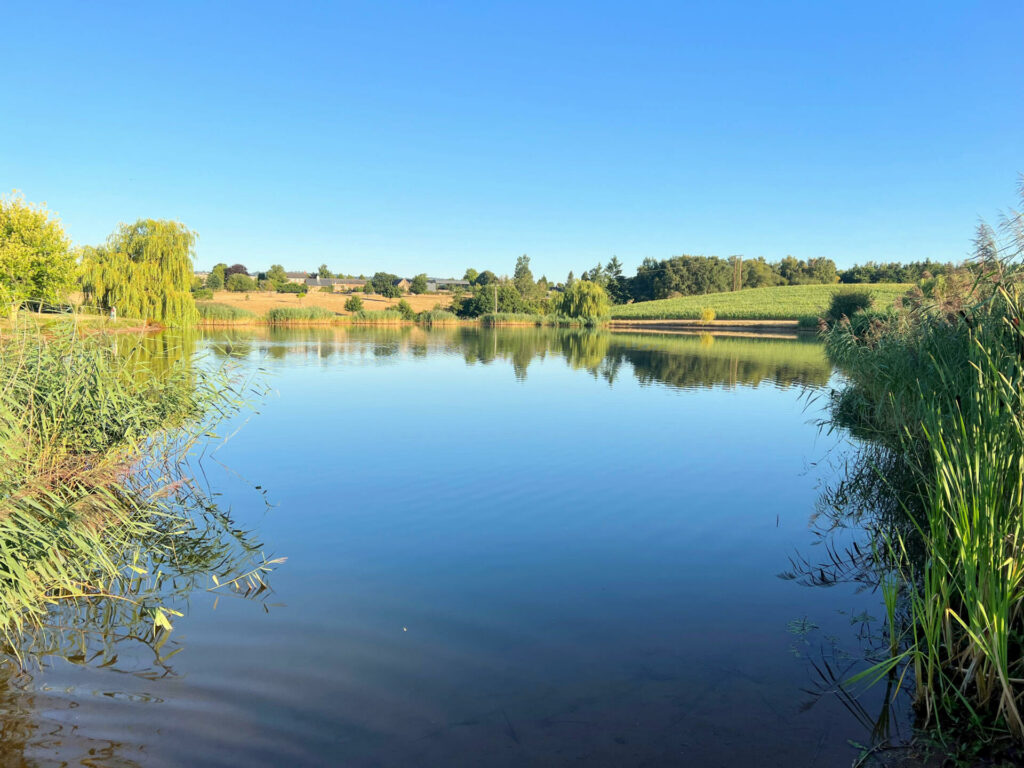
(783, 303)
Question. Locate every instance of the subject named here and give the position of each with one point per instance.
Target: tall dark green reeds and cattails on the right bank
(941, 386)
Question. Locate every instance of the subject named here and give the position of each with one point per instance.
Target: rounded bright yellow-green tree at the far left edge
(35, 259)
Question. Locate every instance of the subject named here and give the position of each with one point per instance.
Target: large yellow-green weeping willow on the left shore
(145, 271)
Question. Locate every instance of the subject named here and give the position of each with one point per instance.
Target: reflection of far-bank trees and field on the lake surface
(676, 361)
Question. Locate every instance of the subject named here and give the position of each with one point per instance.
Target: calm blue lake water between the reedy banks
(517, 548)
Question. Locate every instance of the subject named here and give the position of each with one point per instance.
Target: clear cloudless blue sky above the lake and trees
(436, 137)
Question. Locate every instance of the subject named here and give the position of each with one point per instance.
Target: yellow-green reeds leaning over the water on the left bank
(91, 503)
